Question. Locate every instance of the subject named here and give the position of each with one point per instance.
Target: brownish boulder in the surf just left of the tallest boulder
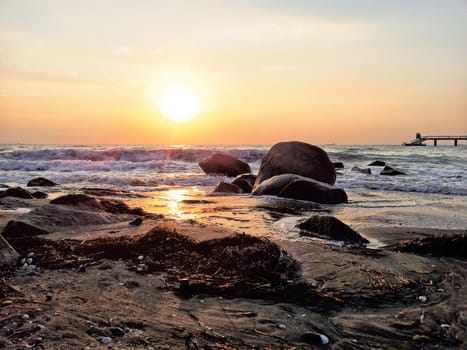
(224, 164)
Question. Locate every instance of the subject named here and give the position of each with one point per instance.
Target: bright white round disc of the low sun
(179, 104)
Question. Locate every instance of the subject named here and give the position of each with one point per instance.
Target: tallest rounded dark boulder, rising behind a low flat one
(299, 158)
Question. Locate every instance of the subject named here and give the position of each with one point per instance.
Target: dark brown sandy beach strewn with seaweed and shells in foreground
(165, 284)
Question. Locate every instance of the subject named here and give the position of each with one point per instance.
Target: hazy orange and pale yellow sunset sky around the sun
(319, 71)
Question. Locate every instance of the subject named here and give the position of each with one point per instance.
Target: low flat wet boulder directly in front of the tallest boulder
(302, 188)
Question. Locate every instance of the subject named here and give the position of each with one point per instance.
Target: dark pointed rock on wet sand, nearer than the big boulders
(329, 227)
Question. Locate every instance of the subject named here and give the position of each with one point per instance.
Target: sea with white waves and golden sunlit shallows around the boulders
(168, 180)
